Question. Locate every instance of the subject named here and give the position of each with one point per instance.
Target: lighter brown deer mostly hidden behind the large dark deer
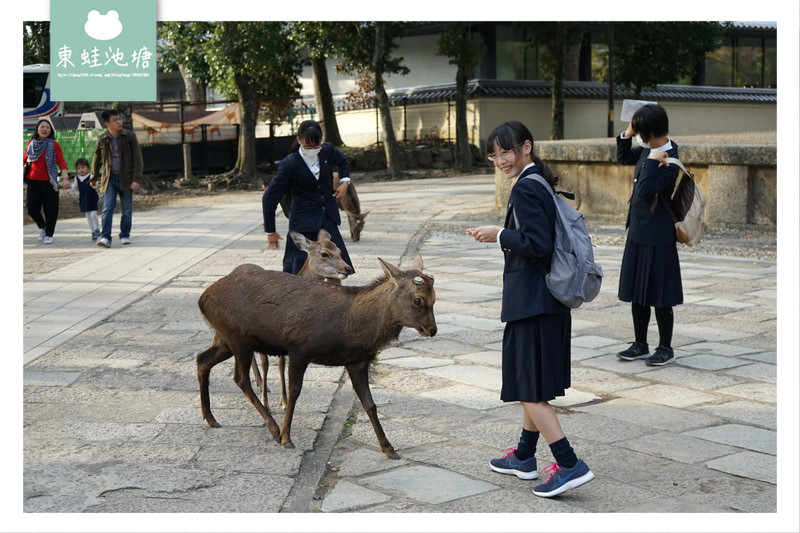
(323, 262)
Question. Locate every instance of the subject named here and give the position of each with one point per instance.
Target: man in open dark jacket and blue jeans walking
(116, 164)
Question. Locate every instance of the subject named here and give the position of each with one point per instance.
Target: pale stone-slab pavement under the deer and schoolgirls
(111, 419)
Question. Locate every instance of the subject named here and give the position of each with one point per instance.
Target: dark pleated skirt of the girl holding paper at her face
(650, 275)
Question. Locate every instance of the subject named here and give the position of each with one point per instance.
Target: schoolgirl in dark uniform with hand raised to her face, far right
(650, 275)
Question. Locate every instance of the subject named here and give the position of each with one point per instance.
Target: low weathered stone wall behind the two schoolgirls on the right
(736, 173)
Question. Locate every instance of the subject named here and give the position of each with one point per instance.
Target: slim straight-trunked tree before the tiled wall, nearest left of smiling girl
(465, 49)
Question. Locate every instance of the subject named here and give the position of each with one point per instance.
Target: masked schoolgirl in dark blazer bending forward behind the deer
(307, 174)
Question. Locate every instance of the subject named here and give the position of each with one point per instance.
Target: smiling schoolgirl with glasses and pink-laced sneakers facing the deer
(536, 340)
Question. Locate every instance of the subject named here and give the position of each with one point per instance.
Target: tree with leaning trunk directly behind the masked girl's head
(322, 40)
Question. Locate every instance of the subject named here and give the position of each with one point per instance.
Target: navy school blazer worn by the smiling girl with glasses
(527, 242)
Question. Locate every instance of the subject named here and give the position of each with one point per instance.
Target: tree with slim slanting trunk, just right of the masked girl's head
(369, 48)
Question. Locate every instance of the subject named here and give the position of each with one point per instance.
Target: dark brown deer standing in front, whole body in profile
(252, 309)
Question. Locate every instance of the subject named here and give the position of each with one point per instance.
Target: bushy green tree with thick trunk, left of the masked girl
(257, 64)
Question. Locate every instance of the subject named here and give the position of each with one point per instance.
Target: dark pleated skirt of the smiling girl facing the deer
(536, 358)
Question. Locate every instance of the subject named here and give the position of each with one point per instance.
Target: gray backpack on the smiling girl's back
(574, 277)
